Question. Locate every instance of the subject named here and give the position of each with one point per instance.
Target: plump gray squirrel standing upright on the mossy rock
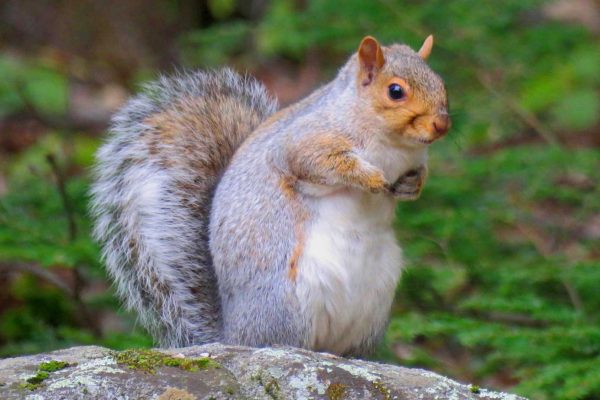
(223, 219)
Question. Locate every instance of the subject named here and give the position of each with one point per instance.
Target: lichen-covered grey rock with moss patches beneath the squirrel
(217, 371)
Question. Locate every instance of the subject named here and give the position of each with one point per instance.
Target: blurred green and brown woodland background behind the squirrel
(503, 247)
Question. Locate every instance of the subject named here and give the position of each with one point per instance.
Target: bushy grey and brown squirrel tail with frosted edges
(154, 182)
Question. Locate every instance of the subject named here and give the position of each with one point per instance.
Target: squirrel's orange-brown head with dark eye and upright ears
(404, 92)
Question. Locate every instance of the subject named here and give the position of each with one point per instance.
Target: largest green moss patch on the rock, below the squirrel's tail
(150, 360)
